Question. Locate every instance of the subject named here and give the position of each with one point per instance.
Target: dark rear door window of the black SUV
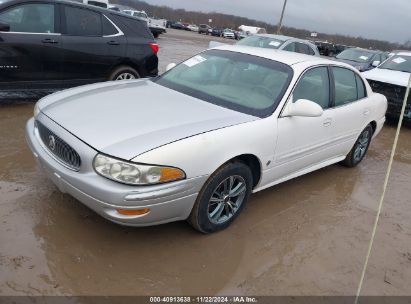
(82, 22)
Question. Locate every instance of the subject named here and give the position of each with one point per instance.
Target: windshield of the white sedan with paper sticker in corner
(241, 82)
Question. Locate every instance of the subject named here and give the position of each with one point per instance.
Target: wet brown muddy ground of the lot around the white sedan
(308, 236)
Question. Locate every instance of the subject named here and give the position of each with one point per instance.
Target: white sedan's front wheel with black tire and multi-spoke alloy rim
(210, 216)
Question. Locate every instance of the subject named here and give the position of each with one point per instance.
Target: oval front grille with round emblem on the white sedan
(59, 148)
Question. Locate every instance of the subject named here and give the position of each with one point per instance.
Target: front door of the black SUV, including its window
(31, 50)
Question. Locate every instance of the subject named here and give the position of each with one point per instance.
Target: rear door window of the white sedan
(345, 86)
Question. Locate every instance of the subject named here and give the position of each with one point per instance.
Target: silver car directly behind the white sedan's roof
(279, 42)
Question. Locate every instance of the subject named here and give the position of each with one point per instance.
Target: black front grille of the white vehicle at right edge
(395, 96)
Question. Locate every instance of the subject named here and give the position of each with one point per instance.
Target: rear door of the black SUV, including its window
(89, 54)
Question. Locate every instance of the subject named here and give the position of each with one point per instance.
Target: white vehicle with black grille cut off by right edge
(391, 79)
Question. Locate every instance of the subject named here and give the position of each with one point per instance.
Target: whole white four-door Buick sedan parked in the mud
(194, 143)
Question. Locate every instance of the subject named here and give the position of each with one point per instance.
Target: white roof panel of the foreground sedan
(289, 58)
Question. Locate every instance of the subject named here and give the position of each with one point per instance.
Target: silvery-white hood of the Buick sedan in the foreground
(125, 119)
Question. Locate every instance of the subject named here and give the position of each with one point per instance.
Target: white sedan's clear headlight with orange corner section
(135, 174)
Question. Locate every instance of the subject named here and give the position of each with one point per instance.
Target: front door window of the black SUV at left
(30, 18)
